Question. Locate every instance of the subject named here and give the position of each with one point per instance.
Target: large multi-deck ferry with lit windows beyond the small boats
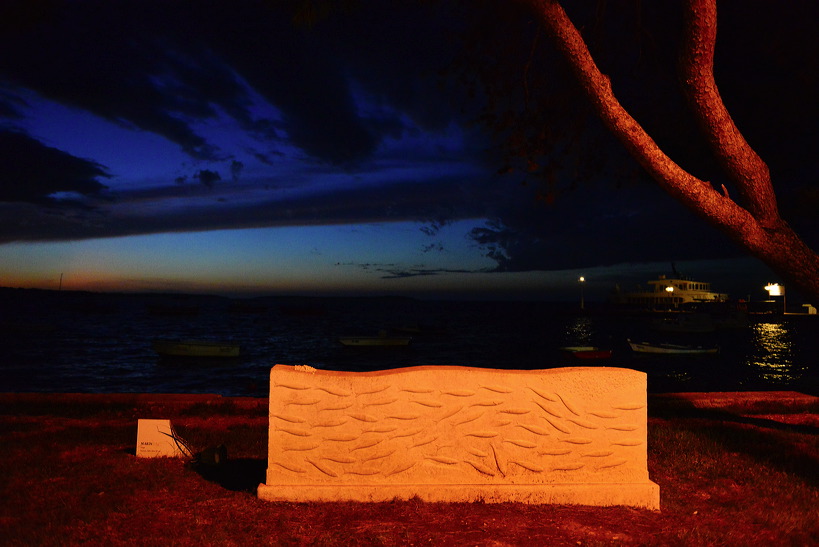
(669, 293)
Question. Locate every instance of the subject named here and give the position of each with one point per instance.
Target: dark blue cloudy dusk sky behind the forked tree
(136, 118)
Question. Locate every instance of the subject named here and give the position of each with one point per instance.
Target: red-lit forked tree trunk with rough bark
(757, 225)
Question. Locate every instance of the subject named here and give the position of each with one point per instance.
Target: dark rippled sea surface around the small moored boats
(91, 343)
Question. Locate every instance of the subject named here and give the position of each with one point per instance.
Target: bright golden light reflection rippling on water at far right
(772, 354)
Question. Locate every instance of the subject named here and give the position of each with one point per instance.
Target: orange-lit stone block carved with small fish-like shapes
(450, 434)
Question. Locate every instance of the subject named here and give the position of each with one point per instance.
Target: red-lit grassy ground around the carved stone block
(733, 469)
